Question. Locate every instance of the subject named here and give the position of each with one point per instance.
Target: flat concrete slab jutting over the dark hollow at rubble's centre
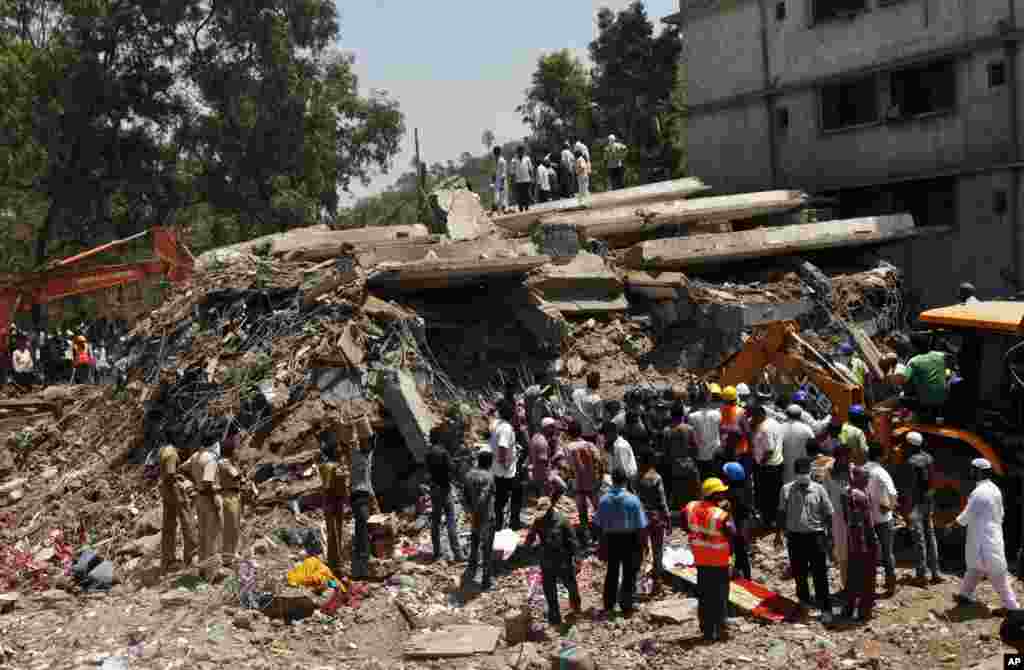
(449, 274)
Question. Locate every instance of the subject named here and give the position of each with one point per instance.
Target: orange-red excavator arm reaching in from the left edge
(61, 280)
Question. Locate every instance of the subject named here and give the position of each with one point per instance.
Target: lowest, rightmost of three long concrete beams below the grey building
(678, 254)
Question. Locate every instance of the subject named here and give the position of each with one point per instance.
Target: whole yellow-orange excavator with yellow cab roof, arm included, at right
(984, 418)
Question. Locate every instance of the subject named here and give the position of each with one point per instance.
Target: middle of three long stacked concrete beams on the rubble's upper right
(615, 223)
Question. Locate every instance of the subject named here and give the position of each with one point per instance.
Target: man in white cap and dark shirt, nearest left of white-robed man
(921, 505)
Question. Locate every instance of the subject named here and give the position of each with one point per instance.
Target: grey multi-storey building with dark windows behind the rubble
(884, 105)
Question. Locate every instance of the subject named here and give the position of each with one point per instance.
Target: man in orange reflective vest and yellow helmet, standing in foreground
(711, 528)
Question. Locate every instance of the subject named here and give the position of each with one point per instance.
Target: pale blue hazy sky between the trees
(460, 67)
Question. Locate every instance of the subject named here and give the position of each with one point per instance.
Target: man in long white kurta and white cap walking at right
(987, 555)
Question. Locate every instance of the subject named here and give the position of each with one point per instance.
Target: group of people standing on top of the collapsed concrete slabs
(563, 174)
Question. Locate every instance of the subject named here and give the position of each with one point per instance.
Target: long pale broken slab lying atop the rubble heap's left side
(315, 243)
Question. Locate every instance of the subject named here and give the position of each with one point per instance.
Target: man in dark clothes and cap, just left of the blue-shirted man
(559, 549)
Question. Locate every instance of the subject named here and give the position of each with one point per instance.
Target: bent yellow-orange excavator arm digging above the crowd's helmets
(779, 344)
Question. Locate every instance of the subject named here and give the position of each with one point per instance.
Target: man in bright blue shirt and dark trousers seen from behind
(622, 520)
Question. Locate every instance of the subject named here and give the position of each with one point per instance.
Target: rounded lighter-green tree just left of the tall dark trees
(558, 105)
